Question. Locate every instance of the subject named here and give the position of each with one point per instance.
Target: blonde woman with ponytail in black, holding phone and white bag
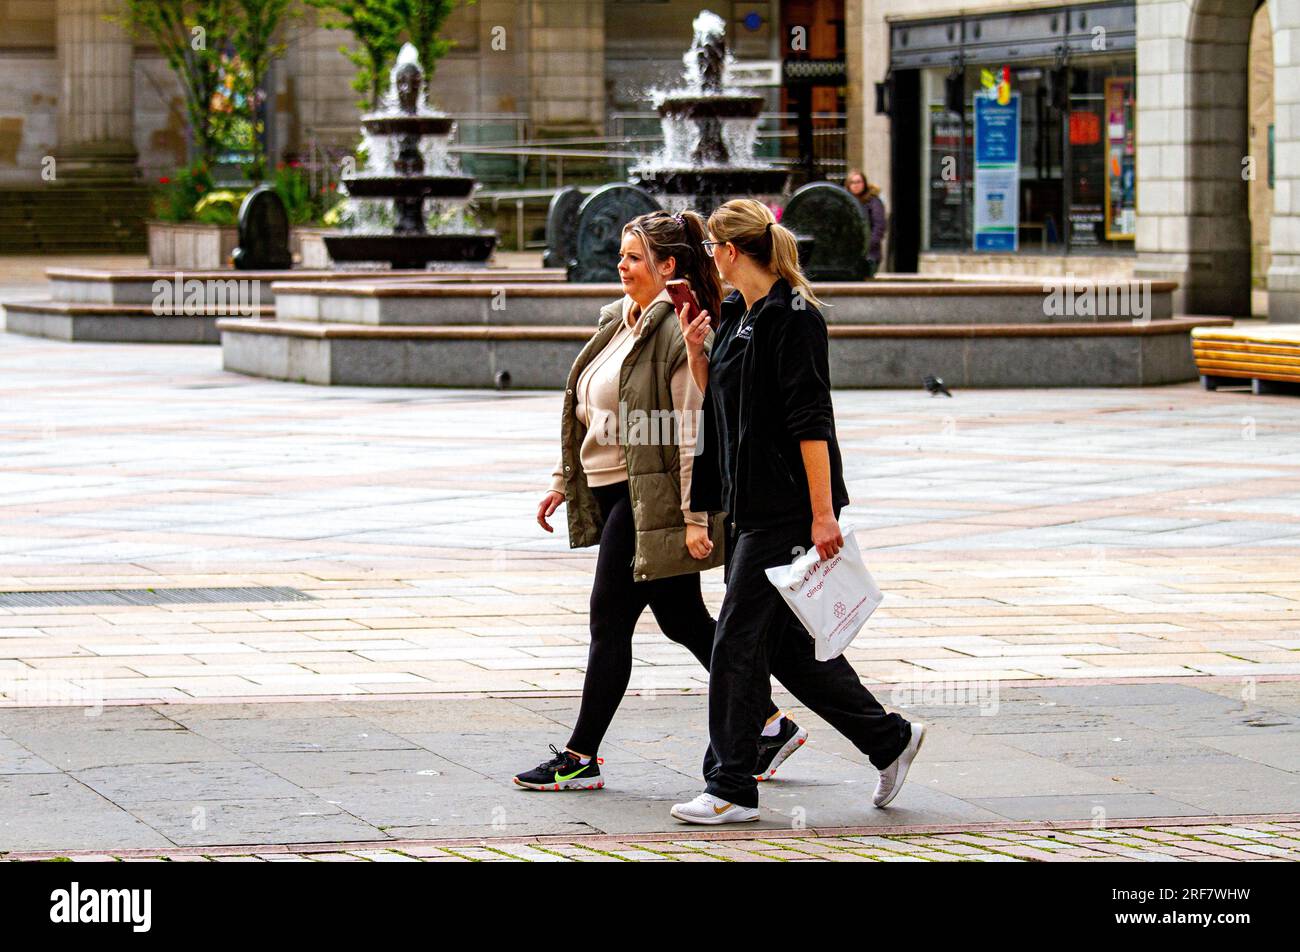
(769, 458)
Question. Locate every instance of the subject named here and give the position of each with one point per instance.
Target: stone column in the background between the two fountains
(566, 70)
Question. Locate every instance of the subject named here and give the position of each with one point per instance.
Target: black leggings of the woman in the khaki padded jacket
(617, 604)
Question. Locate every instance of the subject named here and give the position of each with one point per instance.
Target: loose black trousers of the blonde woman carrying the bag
(757, 638)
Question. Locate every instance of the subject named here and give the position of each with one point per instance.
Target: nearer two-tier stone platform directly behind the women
(885, 335)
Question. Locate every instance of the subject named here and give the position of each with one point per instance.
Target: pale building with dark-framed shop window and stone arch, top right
(1154, 139)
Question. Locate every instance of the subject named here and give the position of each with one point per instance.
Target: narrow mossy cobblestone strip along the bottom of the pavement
(1208, 843)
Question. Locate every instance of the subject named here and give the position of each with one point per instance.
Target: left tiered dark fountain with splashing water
(409, 165)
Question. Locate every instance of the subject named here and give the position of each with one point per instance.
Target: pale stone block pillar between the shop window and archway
(1193, 205)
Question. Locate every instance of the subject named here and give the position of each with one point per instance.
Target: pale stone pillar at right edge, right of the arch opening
(1285, 270)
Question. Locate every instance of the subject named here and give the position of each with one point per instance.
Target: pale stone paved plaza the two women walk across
(1091, 595)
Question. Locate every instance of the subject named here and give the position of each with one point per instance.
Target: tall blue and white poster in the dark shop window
(998, 172)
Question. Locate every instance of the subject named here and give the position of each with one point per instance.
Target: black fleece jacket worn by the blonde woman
(786, 399)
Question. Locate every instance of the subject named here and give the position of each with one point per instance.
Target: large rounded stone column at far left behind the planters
(97, 111)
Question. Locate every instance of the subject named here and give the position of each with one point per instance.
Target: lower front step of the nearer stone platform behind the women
(1108, 354)
